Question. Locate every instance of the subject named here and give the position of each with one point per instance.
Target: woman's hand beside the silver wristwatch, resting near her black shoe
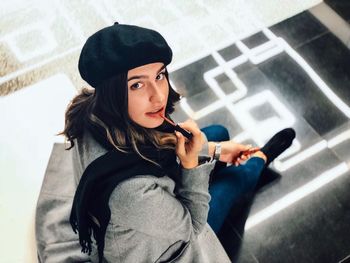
(236, 153)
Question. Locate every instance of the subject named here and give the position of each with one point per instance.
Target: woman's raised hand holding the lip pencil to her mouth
(188, 150)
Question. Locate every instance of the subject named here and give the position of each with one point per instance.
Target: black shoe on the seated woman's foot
(278, 144)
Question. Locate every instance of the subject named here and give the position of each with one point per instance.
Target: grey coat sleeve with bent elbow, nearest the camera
(154, 209)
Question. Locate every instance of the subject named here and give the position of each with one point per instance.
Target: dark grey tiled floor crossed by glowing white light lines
(281, 91)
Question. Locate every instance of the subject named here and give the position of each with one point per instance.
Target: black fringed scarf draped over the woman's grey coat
(90, 212)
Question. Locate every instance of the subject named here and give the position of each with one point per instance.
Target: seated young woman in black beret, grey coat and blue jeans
(143, 192)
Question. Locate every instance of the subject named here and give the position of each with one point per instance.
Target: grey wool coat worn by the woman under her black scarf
(152, 219)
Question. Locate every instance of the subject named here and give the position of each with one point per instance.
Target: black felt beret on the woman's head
(118, 48)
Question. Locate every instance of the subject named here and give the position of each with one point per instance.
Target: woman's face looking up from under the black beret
(148, 91)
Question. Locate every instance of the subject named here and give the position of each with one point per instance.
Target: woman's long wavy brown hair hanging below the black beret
(106, 107)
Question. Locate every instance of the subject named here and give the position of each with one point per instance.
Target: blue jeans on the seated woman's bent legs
(228, 183)
